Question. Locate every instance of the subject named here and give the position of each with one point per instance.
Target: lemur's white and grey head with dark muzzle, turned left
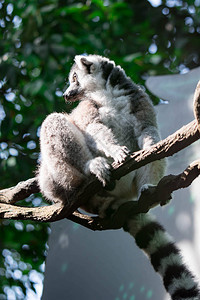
(91, 74)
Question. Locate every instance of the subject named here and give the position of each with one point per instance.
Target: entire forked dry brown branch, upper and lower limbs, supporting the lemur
(172, 144)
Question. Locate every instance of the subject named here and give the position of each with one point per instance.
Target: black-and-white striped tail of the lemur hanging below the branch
(165, 257)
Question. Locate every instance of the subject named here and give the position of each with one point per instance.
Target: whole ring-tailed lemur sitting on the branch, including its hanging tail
(114, 116)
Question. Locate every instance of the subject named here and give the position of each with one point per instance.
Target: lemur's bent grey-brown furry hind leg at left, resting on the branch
(64, 156)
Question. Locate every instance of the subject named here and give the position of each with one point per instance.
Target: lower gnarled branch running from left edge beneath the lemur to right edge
(150, 198)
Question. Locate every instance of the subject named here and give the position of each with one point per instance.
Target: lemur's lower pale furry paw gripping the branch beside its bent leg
(100, 168)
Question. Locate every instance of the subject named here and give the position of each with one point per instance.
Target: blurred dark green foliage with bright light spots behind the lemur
(38, 41)
